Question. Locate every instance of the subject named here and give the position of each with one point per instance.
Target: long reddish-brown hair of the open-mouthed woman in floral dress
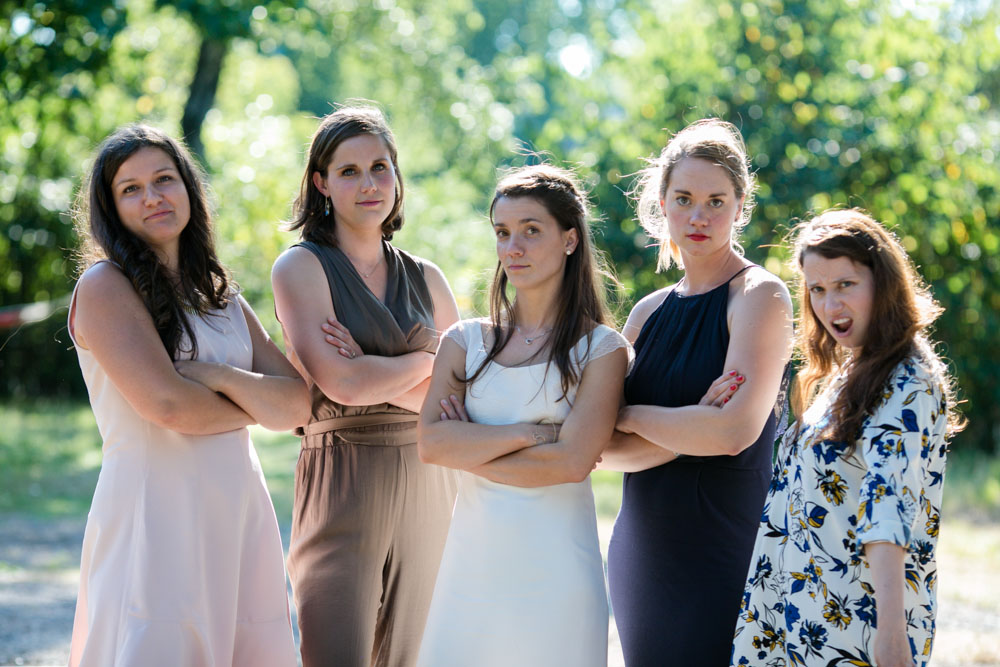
(903, 309)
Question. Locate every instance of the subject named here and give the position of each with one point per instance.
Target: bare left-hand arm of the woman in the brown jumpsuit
(302, 301)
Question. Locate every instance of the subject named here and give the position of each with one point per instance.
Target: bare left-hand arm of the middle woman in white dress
(463, 444)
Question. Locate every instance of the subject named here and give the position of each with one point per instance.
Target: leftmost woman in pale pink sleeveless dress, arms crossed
(182, 560)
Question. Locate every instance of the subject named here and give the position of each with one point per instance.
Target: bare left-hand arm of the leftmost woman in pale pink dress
(110, 320)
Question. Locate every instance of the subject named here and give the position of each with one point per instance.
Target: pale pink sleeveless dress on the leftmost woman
(182, 561)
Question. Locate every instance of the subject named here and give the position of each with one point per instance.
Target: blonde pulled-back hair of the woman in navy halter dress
(709, 139)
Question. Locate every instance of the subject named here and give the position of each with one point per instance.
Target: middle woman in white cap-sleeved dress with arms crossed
(523, 403)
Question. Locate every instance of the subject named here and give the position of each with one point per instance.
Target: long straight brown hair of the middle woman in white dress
(582, 303)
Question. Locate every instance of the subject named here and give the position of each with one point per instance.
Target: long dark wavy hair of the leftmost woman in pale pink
(201, 283)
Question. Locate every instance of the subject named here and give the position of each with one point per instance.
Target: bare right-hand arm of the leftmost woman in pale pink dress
(272, 392)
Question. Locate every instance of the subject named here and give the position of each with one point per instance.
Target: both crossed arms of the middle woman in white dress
(519, 454)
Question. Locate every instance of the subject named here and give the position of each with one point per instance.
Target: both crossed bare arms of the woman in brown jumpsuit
(327, 353)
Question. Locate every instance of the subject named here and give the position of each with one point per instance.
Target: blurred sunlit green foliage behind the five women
(891, 106)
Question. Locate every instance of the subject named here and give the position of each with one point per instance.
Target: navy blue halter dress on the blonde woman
(681, 545)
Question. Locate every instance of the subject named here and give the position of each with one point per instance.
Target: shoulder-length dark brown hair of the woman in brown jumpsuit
(309, 211)
